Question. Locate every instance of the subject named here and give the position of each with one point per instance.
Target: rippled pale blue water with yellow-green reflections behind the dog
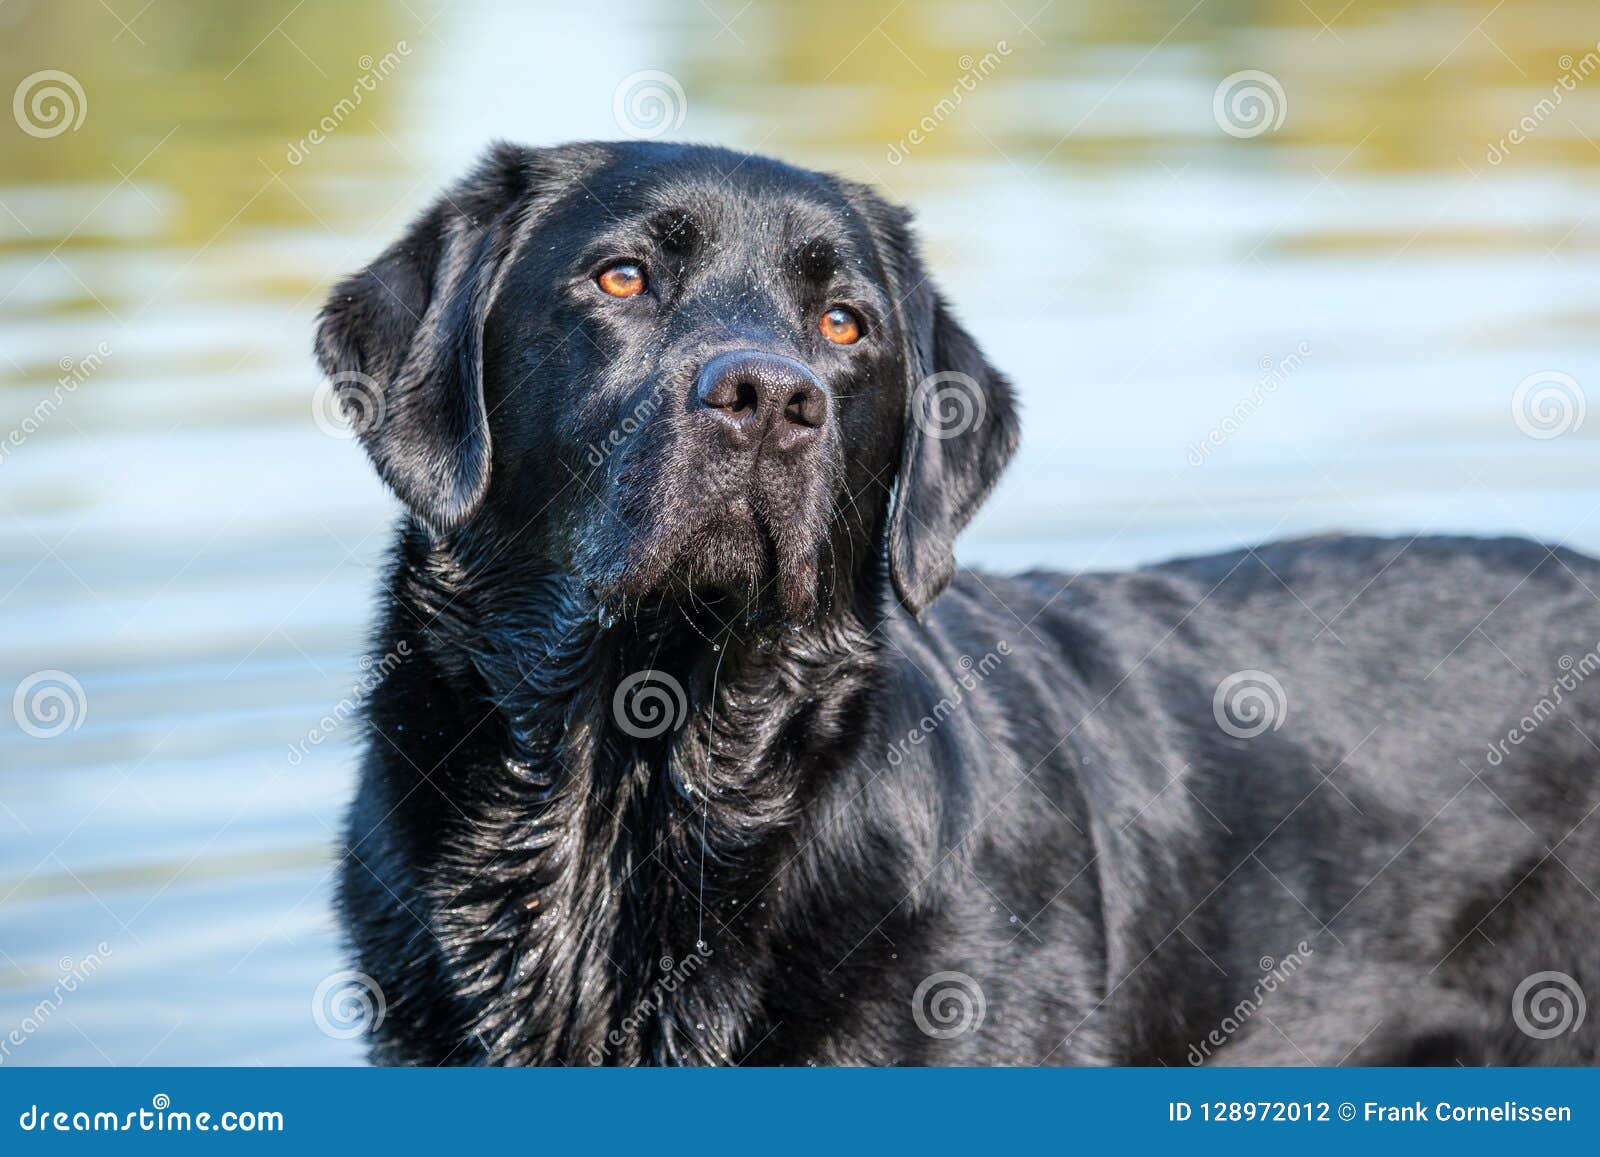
(1220, 337)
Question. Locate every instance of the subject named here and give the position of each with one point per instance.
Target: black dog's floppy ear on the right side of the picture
(961, 422)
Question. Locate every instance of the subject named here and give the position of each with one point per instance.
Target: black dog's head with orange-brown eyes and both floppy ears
(674, 370)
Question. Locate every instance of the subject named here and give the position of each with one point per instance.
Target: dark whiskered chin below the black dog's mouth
(730, 561)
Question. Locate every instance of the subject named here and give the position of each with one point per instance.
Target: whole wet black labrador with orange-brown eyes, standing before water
(695, 745)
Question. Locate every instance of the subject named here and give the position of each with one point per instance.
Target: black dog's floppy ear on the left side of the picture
(402, 342)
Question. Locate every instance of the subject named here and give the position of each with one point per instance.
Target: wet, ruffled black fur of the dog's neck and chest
(666, 750)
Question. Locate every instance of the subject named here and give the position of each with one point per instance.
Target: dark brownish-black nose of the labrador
(762, 398)
